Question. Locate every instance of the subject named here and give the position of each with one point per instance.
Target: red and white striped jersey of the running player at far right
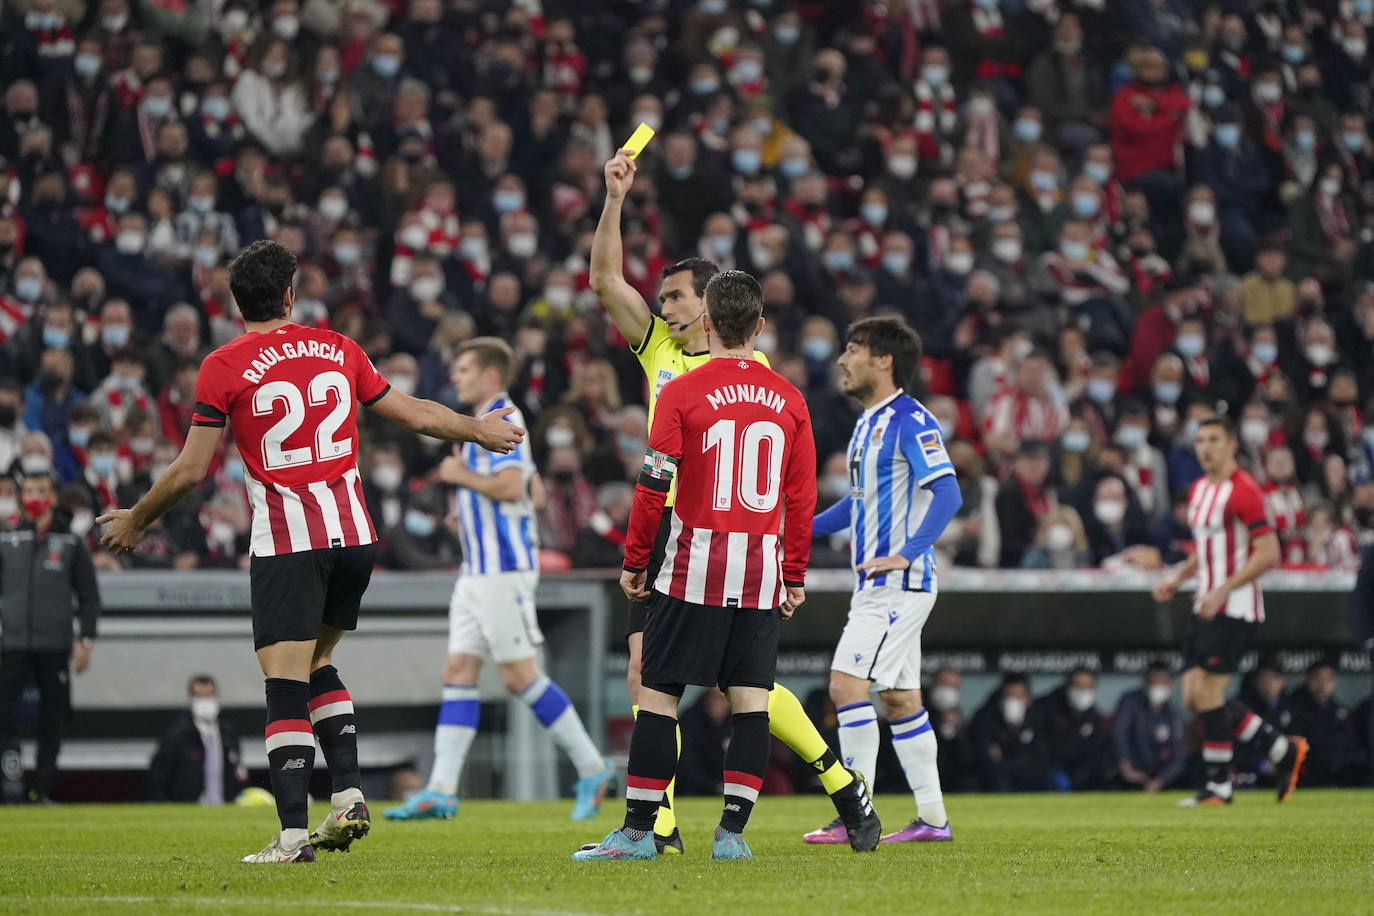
(1226, 518)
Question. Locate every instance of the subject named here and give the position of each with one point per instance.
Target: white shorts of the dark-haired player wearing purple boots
(881, 642)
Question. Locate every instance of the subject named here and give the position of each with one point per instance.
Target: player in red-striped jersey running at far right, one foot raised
(1235, 545)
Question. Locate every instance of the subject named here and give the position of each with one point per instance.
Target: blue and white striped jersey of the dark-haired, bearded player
(895, 453)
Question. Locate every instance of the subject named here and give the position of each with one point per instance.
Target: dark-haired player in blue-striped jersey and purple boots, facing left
(902, 495)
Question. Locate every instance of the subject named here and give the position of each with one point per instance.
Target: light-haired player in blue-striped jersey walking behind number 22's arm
(493, 613)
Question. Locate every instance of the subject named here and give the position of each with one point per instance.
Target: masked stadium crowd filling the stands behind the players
(1104, 223)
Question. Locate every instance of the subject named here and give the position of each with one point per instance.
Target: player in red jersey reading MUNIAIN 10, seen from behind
(737, 439)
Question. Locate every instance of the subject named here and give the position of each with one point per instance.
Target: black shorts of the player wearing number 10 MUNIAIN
(703, 645)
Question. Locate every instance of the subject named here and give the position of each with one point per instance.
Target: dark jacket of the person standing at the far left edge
(45, 583)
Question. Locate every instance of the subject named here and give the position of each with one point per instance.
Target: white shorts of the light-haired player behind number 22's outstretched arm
(494, 617)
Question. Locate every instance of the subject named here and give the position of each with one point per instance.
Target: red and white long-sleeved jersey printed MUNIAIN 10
(737, 436)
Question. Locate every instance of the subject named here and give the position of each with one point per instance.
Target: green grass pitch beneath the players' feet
(1048, 854)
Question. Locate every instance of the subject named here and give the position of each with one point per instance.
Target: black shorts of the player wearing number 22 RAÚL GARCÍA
(297, 594)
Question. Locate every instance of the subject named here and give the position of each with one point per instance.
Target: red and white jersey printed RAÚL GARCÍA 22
(291, 398)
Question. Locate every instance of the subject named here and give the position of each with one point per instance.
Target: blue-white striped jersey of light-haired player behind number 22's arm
(498, 538)
